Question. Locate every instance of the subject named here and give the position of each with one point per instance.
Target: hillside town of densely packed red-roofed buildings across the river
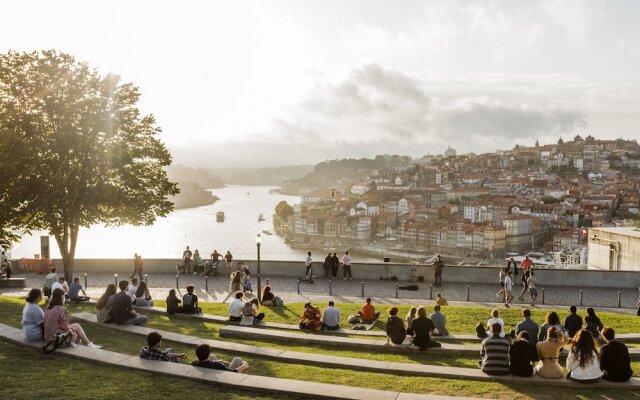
(539, 198)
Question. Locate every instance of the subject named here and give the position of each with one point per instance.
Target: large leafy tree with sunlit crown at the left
(81, 151)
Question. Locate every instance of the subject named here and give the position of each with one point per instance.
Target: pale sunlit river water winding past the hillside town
(194, 227)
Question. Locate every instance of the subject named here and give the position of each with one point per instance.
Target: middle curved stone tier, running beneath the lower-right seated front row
(350, 362)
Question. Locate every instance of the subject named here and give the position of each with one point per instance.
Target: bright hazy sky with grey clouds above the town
(267, 83)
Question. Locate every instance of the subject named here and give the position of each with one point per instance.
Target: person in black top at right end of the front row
(615, 362)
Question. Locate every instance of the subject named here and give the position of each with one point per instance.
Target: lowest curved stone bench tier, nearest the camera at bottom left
(245, 382)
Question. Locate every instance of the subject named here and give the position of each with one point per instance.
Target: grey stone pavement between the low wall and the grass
(351, 291)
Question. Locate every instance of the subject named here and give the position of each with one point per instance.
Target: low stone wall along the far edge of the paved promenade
(403, 272)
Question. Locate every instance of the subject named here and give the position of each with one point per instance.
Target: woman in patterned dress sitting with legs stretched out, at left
(56, 320)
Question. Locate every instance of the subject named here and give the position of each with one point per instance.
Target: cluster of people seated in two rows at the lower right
(535, 351)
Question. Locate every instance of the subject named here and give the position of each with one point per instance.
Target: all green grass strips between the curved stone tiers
(25, 366)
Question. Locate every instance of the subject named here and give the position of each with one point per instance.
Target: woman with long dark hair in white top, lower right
(583, 361)
